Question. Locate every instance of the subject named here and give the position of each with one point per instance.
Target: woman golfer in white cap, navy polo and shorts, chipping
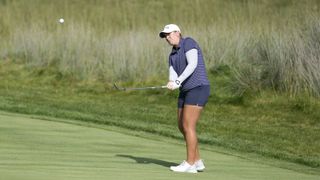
(188, 73)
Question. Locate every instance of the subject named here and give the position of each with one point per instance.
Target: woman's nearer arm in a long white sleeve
(192, 58)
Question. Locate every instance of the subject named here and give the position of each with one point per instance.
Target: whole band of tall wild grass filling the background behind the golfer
(268, 44)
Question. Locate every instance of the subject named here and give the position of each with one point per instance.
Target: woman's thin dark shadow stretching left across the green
(144, 160)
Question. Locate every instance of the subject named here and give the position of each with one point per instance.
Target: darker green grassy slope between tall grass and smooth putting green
(269, 125)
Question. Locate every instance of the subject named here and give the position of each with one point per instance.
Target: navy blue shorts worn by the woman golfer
(197, 96)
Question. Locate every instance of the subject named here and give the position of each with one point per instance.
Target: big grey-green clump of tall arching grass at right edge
(282, 60)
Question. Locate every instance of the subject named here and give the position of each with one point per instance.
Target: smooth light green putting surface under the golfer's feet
(40, 150)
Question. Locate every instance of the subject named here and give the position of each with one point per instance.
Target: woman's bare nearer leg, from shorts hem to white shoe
(191, 115)
